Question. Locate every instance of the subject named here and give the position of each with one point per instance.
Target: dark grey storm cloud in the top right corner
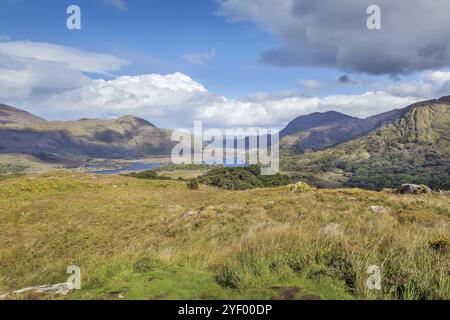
(415, 34)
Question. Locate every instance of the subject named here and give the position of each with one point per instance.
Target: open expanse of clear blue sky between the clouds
(155, 35)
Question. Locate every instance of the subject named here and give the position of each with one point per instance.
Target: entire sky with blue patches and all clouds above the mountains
(228, 63)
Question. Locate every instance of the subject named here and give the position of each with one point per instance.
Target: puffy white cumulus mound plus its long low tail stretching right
(175, 100)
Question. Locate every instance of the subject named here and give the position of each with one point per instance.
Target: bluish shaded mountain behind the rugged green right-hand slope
(322, 130)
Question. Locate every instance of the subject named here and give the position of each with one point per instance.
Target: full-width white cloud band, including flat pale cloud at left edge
(52, 81)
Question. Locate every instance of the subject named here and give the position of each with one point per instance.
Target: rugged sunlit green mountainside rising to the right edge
(412, 148)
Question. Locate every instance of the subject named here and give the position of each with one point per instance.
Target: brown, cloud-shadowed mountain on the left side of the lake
(73, 141)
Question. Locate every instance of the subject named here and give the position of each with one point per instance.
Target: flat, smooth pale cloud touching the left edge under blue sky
(30, 69)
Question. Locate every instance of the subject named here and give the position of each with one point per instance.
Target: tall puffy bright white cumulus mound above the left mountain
(167, 98)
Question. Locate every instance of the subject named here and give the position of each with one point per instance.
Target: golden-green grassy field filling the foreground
(143, 239)
